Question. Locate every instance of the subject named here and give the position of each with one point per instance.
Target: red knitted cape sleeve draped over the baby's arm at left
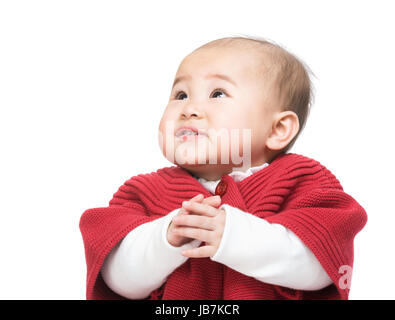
(102, 229)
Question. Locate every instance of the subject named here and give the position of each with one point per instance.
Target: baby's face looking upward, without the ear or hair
(223, 94)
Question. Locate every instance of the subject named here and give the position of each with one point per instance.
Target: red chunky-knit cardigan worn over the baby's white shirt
(294, 191)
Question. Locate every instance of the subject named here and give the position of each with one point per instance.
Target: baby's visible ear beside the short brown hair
(285, 127)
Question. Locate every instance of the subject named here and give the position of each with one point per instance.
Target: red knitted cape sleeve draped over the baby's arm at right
(326, 220)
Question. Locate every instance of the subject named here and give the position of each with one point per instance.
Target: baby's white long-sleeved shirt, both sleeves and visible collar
(268, 252)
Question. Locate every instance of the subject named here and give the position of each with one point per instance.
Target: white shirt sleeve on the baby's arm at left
(143, 260)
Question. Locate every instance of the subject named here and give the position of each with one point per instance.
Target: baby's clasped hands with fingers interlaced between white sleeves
(198, 219)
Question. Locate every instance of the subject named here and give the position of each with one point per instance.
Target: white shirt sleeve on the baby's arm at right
(268, 252)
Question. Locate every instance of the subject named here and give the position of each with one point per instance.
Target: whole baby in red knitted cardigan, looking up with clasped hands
(237, 217)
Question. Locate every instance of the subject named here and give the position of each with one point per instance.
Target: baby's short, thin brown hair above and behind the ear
(291, 76)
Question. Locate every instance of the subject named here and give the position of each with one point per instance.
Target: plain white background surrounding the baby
(83, 85)
